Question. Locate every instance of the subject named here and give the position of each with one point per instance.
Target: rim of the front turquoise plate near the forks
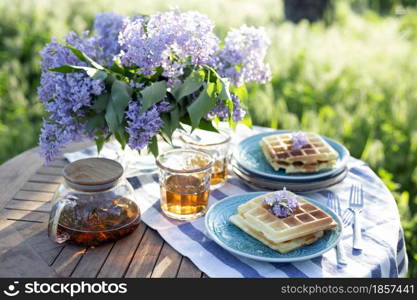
(269, 259)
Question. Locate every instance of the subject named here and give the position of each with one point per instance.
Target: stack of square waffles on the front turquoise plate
(305, 226)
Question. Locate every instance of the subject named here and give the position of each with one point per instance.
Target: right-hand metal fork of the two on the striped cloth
(356, 205)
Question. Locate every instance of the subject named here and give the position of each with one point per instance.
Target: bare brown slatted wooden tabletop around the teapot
(26, 190)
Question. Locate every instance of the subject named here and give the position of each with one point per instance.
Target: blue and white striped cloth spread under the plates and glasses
(383, 255)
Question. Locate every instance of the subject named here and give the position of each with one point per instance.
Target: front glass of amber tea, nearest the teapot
(184, 178)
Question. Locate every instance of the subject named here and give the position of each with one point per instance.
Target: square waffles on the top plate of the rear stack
(315, 156)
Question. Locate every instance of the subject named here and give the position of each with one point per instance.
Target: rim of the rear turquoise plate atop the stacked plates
(291, 177)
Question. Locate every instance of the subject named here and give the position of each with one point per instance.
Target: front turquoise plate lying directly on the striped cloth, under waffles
(233, 239)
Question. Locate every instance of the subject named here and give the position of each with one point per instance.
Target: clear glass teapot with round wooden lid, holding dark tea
(95, 204)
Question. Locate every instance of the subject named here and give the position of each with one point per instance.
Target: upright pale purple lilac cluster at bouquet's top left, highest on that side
(107, 27)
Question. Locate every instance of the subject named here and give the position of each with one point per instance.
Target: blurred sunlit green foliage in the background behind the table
(352, 80)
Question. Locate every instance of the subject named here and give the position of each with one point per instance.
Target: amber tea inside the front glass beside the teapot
(184, 195)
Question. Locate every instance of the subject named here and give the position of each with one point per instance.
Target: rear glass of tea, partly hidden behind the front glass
(217, 144)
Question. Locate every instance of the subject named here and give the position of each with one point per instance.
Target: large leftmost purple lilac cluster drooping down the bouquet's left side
(64, 96)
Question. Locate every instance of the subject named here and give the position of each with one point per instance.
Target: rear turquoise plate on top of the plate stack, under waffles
(249, 156)
